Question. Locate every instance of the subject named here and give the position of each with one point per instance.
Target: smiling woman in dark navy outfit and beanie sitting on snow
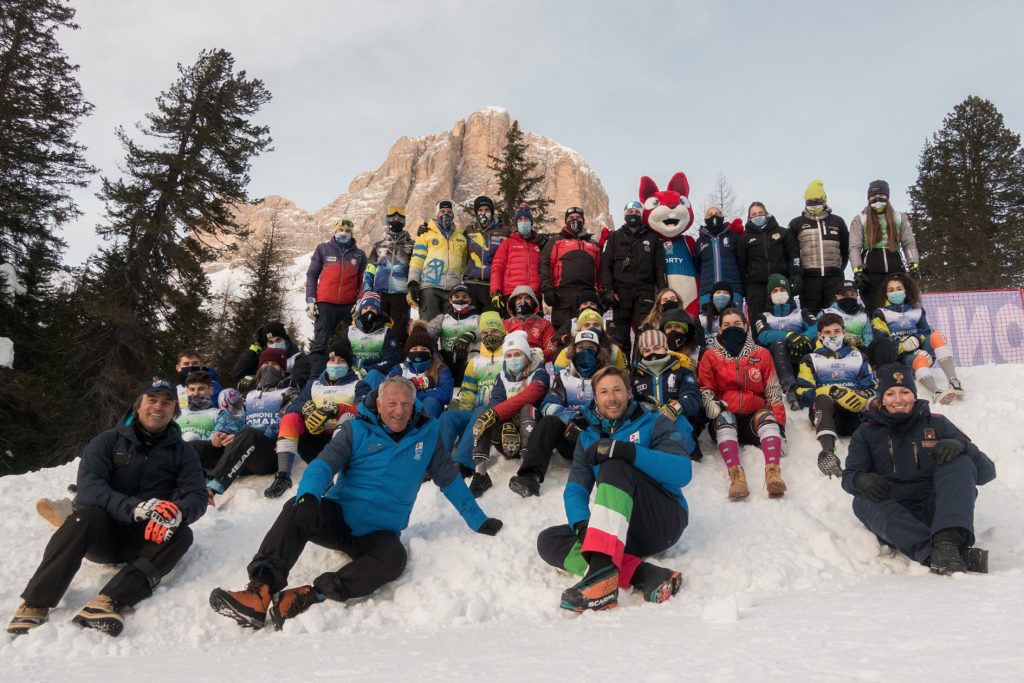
(914, 478)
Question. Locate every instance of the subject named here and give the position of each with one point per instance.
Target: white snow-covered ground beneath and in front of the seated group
(791, 589)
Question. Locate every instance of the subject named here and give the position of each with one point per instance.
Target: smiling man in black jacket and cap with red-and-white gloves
(140, 488)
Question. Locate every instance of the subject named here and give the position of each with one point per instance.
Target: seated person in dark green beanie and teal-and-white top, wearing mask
(787, 331)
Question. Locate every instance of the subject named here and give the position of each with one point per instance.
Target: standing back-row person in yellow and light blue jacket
(439, 263)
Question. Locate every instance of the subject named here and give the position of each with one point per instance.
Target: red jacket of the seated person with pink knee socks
(746, 385)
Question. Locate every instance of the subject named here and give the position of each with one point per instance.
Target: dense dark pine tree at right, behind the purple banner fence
(968, 203)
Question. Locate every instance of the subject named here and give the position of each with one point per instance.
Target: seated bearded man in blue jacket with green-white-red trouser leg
(638, 462)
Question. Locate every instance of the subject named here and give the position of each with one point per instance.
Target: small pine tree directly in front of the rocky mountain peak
(516, 183)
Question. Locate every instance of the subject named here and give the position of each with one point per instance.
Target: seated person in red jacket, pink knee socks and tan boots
(744, 403)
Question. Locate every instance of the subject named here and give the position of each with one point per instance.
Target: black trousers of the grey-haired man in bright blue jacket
(377, 559)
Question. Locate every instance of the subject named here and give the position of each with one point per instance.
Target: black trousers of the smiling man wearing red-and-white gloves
(91, 533)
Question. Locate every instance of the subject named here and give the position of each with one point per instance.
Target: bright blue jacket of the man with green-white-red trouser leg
(661, 455)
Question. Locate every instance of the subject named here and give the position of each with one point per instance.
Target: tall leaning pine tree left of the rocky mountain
(145, 294)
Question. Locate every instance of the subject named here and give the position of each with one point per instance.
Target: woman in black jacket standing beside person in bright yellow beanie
(764, 250)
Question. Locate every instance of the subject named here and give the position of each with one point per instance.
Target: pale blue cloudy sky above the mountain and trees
(771, 95)
